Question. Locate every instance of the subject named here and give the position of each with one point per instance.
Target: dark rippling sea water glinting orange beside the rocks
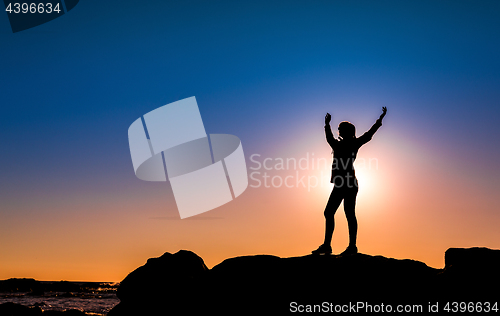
(91, 298)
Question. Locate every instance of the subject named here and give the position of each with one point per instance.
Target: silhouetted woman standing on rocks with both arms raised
(344, 179)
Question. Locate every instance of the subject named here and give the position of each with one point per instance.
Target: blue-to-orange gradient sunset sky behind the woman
(71, 207)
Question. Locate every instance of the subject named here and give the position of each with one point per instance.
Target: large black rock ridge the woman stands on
(181, 283)
